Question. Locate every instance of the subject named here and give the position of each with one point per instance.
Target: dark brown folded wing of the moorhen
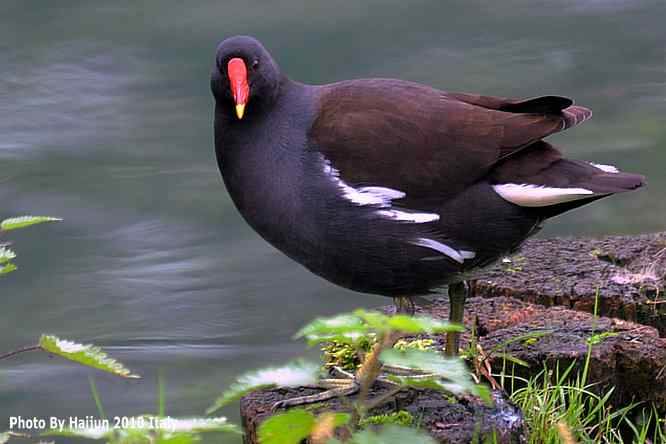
(417, 139)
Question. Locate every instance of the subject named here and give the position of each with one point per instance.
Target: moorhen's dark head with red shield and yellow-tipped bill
(245, 78)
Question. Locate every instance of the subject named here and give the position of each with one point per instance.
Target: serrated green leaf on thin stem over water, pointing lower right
(88, 355)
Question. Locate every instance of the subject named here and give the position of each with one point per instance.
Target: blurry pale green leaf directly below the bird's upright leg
(449, 374)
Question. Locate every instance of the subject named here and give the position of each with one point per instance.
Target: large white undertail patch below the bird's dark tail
(530, 195)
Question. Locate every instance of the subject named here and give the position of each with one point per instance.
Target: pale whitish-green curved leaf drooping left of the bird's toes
(294, 374)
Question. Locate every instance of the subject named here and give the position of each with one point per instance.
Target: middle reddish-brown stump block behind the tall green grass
(627, 356)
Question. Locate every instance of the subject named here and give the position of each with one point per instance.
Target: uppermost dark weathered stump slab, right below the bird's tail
(627, 272)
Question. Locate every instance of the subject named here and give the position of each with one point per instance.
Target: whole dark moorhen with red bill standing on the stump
(388, 186)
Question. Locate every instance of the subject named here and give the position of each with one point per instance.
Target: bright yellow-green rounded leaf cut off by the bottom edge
(291, 427)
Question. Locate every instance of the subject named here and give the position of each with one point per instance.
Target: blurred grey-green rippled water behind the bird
(105, 120)
